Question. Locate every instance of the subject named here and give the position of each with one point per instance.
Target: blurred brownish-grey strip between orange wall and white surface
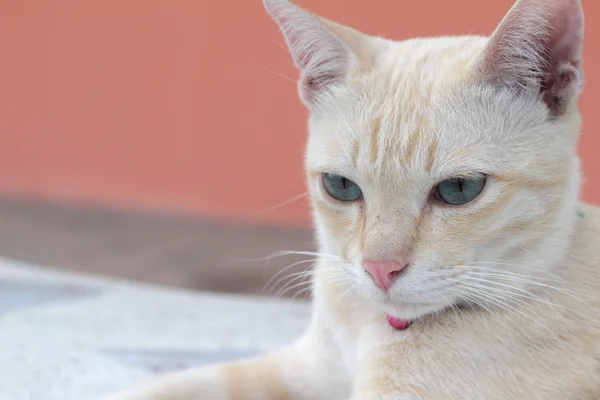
(164, 249)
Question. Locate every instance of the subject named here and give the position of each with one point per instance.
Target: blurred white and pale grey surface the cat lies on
(64, 336)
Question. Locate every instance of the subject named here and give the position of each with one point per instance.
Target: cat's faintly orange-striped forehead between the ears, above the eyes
(418, 114)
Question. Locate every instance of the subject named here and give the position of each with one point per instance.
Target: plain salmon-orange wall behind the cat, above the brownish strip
(170, 104)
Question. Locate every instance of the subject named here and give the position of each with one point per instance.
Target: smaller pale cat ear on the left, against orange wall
(324, 52)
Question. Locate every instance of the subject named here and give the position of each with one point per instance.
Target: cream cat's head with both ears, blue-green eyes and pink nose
(442, 169)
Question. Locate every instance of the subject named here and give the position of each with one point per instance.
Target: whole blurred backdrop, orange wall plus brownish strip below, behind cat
(162, 141)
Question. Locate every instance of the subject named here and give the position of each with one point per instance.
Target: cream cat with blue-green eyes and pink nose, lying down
(457, 261)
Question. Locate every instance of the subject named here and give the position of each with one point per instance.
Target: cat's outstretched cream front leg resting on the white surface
(304, 371)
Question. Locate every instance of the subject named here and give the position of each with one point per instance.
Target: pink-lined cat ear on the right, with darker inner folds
(537, 47)
